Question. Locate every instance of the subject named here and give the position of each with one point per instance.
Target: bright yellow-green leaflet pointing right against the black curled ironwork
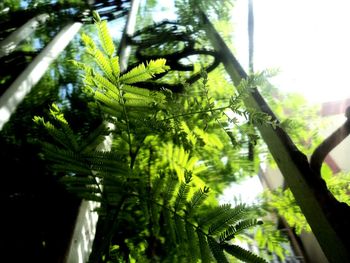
(143, 73)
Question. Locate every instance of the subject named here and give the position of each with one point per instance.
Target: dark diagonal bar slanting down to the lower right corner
(328, 218)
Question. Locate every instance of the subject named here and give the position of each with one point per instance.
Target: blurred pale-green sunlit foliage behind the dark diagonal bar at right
(304, 133)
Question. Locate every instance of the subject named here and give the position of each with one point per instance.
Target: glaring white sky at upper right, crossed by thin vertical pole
(308, 41)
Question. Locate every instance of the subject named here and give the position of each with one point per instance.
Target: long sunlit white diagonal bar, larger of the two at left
(35, 70)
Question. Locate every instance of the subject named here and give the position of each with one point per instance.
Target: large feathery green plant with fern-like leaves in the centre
(150, 185)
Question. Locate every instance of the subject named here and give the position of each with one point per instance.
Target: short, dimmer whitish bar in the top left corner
(10, 43)
